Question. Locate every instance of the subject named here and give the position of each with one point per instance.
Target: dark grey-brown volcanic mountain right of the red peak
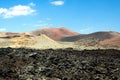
(97, 35)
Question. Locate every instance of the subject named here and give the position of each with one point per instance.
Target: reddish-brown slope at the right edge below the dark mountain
(113, 41)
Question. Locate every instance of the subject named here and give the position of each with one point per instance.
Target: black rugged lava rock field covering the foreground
(59, 64)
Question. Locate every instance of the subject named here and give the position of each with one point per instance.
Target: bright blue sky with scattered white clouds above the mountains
(82, 16)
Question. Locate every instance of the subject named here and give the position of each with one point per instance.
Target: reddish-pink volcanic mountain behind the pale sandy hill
(55, 33)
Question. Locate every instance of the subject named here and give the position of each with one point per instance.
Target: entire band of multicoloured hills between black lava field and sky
(59, 38)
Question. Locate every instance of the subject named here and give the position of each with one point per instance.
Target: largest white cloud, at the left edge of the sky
(19, 10)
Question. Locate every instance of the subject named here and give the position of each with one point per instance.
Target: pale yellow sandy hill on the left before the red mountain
(32, 41)
